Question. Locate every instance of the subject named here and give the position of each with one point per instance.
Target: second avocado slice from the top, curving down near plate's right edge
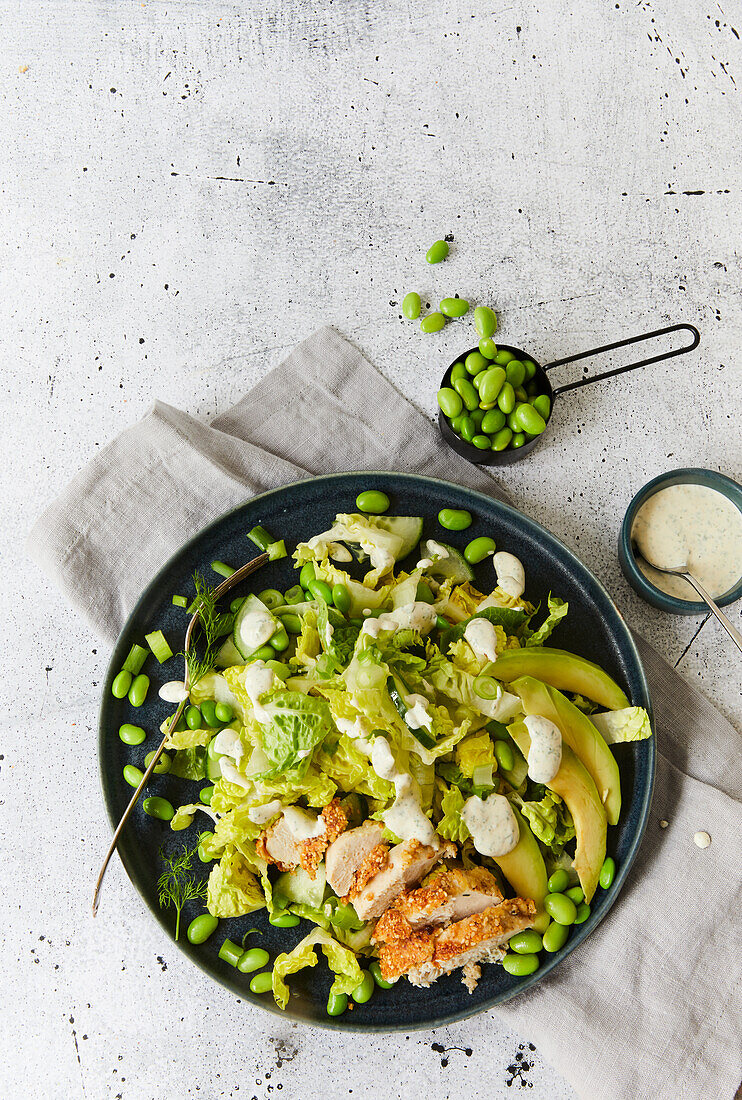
(580, 734)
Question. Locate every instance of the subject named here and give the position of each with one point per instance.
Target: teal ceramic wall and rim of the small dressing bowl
(628, 562)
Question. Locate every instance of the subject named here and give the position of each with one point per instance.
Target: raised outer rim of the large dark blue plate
(346, 1022)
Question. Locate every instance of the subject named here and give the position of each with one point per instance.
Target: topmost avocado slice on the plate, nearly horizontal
(562, 670)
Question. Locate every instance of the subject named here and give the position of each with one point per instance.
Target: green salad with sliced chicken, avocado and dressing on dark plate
(398, 756)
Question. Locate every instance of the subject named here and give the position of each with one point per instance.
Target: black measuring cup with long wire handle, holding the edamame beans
(507, 457)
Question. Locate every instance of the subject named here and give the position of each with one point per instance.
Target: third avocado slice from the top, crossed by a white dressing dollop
(573, 784)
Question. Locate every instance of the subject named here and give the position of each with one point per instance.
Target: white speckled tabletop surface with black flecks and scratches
(189, 189)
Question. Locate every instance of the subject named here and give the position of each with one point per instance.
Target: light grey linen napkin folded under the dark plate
(649, 1006)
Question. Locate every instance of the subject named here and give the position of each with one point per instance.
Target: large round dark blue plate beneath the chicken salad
(593, 629)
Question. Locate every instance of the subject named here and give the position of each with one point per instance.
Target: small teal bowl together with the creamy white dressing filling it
(692, 516)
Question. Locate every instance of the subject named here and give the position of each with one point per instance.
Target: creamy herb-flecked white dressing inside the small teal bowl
(694, 525)
